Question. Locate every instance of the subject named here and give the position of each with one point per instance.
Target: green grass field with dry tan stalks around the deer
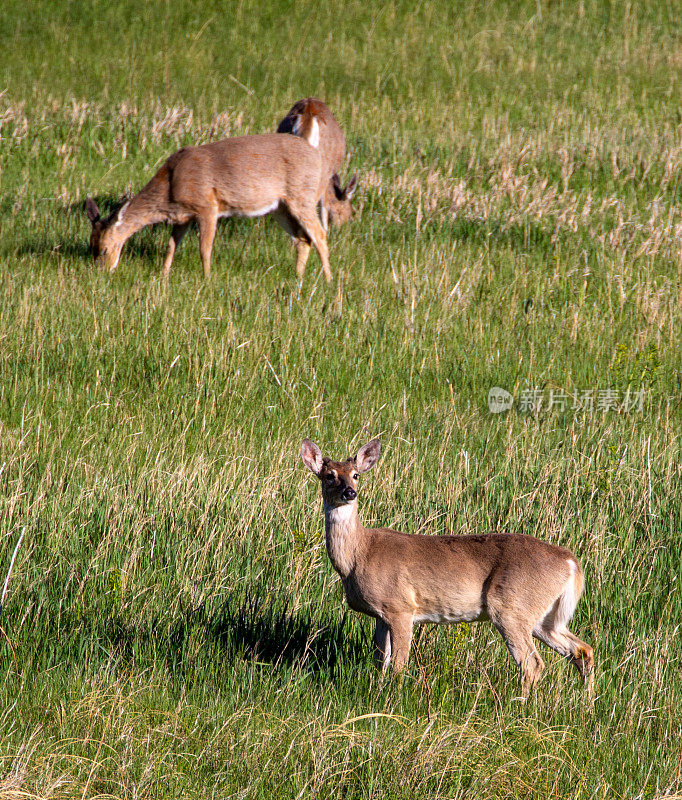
(172, 627)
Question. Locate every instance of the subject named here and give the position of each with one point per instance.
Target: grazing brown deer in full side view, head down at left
(244, 176)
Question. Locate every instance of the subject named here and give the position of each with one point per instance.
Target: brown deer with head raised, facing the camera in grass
(526, 587)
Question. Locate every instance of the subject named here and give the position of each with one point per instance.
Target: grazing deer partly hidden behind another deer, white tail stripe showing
(312, 120)
